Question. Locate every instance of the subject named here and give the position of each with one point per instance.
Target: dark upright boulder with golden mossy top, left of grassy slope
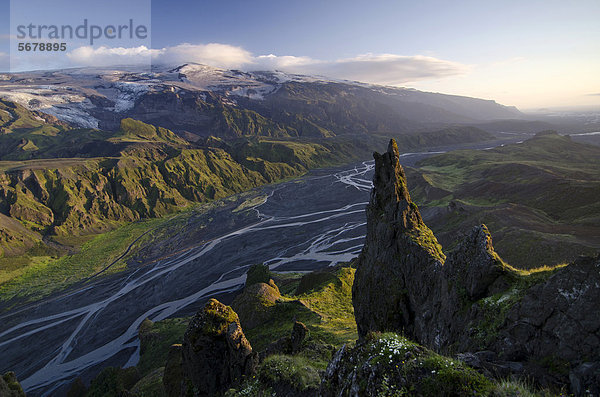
(215, 352)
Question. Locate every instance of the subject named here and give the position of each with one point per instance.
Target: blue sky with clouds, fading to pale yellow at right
(531, 54)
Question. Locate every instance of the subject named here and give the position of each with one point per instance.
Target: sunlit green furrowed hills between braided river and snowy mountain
(58, 180)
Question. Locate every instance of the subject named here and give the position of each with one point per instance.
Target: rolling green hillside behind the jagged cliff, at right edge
(539, 198)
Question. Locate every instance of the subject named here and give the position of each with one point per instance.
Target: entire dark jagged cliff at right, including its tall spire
(545, 323)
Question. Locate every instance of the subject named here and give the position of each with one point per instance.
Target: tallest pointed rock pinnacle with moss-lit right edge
(399, 257)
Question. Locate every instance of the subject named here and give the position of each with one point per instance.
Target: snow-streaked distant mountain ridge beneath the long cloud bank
(204, 101)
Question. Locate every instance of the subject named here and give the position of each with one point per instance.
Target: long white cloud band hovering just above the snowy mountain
(372, 68)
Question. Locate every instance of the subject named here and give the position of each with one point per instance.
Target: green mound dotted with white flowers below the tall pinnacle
(391, 365)
